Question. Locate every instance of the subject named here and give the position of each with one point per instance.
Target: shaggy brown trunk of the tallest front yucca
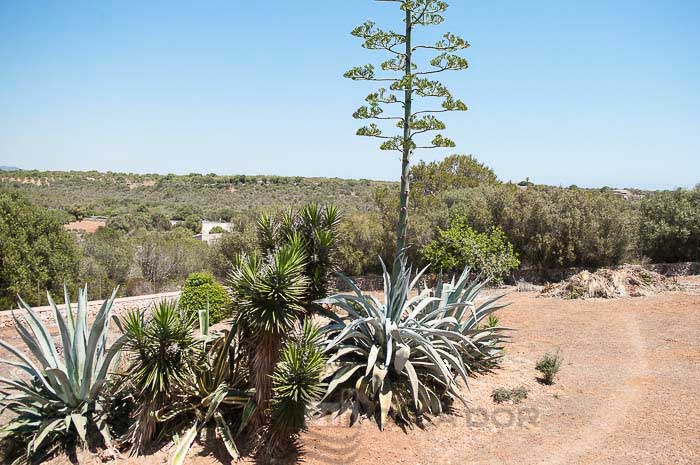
(265, 354)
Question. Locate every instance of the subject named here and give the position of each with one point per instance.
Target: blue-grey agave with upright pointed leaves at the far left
(59, 393)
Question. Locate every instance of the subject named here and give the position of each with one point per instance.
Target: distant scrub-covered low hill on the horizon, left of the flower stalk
(177, 196)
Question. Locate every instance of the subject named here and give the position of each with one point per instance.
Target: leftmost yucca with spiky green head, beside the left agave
(162, 349)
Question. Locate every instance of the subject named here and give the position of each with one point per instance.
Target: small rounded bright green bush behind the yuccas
(202, 286)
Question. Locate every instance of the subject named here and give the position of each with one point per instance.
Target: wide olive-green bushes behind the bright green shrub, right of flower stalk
(551, 227)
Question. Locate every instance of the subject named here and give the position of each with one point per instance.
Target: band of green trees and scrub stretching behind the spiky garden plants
(142, 251)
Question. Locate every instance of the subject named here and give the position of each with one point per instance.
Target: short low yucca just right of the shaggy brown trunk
(297, 383)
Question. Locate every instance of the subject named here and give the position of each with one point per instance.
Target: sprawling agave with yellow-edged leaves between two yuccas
(216, 395)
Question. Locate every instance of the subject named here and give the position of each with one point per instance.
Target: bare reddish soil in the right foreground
(627, 393)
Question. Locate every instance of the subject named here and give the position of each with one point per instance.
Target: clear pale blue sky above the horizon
(566, 92)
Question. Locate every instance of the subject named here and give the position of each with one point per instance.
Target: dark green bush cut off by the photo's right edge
(670, 226)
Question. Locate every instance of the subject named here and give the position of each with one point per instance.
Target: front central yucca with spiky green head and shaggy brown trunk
(269, 295)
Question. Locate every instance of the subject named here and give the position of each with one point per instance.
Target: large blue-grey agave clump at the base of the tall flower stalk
(405, 354)
